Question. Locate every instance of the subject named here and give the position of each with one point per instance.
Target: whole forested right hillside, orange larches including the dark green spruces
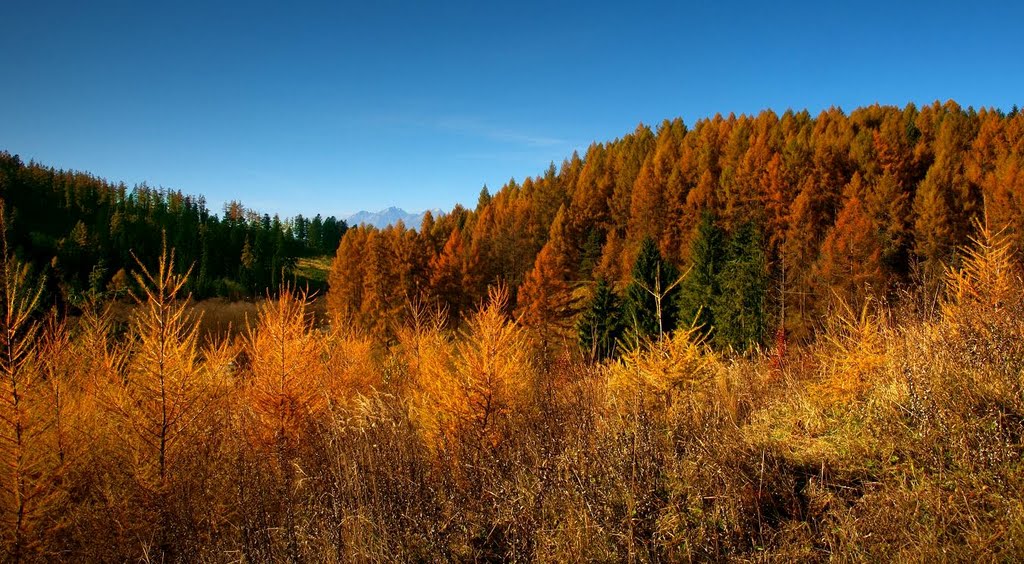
(774, 221)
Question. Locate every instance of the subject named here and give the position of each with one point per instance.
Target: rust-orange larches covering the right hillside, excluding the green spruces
(922, 175)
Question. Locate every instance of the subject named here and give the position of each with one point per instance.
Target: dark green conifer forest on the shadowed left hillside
(81, 233)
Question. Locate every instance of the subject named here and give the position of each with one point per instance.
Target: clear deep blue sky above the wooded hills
(298, 108)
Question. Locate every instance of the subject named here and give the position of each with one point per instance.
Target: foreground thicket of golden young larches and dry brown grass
(895, 437)
